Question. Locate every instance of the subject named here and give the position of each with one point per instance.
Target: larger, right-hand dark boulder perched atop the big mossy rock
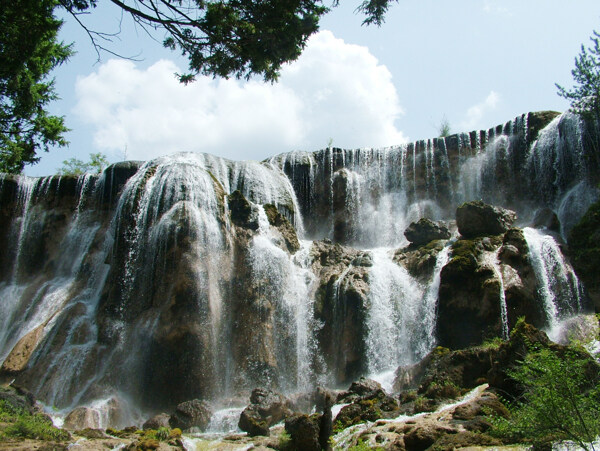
(478, 219)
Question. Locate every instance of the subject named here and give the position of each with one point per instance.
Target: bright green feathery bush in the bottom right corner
(561, 400)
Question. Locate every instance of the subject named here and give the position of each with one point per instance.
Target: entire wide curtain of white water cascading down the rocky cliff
(140, 271)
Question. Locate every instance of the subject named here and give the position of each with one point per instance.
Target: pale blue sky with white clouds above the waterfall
(473, 63)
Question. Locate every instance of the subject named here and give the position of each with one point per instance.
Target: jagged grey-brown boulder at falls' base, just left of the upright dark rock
(266, 408)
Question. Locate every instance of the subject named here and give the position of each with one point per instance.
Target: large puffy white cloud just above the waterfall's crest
(335, 90)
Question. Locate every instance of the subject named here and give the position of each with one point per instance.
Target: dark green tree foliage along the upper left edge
(29, 50)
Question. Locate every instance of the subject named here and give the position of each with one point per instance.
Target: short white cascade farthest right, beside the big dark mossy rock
(559, 288)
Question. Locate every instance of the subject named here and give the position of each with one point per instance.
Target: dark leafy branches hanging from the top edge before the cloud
(226, 38)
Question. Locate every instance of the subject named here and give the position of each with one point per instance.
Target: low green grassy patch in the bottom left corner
(22, 424)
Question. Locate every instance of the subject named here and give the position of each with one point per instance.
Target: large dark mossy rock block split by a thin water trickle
(469, 304)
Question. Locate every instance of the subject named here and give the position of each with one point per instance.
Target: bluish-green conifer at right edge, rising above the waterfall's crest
(585, 96)
